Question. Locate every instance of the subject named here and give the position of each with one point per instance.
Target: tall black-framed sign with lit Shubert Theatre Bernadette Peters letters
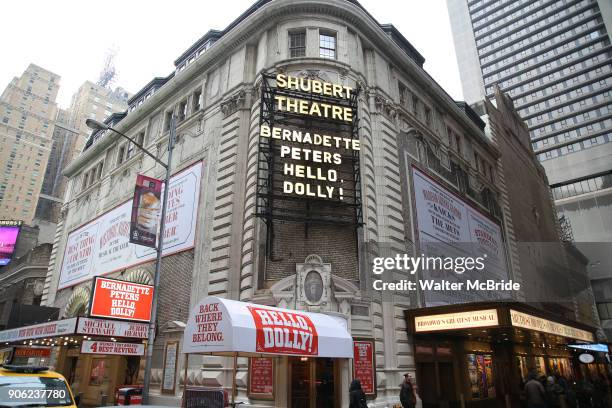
(309, 150)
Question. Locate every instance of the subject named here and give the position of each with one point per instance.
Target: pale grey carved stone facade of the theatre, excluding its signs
(405, 118)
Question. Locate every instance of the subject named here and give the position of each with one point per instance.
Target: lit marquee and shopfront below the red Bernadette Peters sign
(95, 355)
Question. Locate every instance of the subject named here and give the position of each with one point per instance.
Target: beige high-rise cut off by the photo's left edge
(27, 114)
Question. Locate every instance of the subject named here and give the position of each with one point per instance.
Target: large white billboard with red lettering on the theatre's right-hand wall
(448, 226)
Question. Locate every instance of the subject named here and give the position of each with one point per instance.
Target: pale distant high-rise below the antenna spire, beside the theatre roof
(93, 101)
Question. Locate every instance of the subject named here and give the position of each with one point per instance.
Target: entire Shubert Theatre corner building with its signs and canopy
(309, 142)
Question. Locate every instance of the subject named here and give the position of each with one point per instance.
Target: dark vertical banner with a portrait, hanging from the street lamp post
(146, 207)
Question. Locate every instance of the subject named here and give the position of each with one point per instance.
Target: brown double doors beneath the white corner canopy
(313, 383)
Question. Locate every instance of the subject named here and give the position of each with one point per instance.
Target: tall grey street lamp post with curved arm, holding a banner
(96, 125)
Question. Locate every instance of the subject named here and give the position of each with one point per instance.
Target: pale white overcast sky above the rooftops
(71, 38)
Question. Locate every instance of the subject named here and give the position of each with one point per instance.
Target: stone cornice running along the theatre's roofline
(258, 22)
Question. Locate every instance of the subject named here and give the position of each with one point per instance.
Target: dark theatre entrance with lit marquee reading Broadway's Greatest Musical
(479, 355)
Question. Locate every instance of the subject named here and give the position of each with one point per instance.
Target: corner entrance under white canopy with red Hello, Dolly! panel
(295, 358)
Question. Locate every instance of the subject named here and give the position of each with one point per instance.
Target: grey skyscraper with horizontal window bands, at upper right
(554, 59)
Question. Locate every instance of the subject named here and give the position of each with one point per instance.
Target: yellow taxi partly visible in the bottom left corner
(33, 386)
